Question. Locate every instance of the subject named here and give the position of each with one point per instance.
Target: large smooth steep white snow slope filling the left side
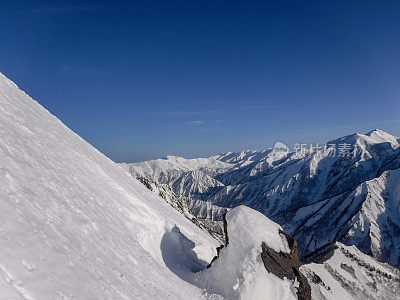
(73, 224)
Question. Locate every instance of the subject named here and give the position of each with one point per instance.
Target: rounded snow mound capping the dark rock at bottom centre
(238, 272)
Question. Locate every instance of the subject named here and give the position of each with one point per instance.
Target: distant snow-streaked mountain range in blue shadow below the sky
(320, 197)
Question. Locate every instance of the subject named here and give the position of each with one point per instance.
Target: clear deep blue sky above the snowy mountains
(145, 79)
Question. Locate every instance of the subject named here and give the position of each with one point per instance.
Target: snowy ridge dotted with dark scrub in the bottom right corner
(347, 273)
